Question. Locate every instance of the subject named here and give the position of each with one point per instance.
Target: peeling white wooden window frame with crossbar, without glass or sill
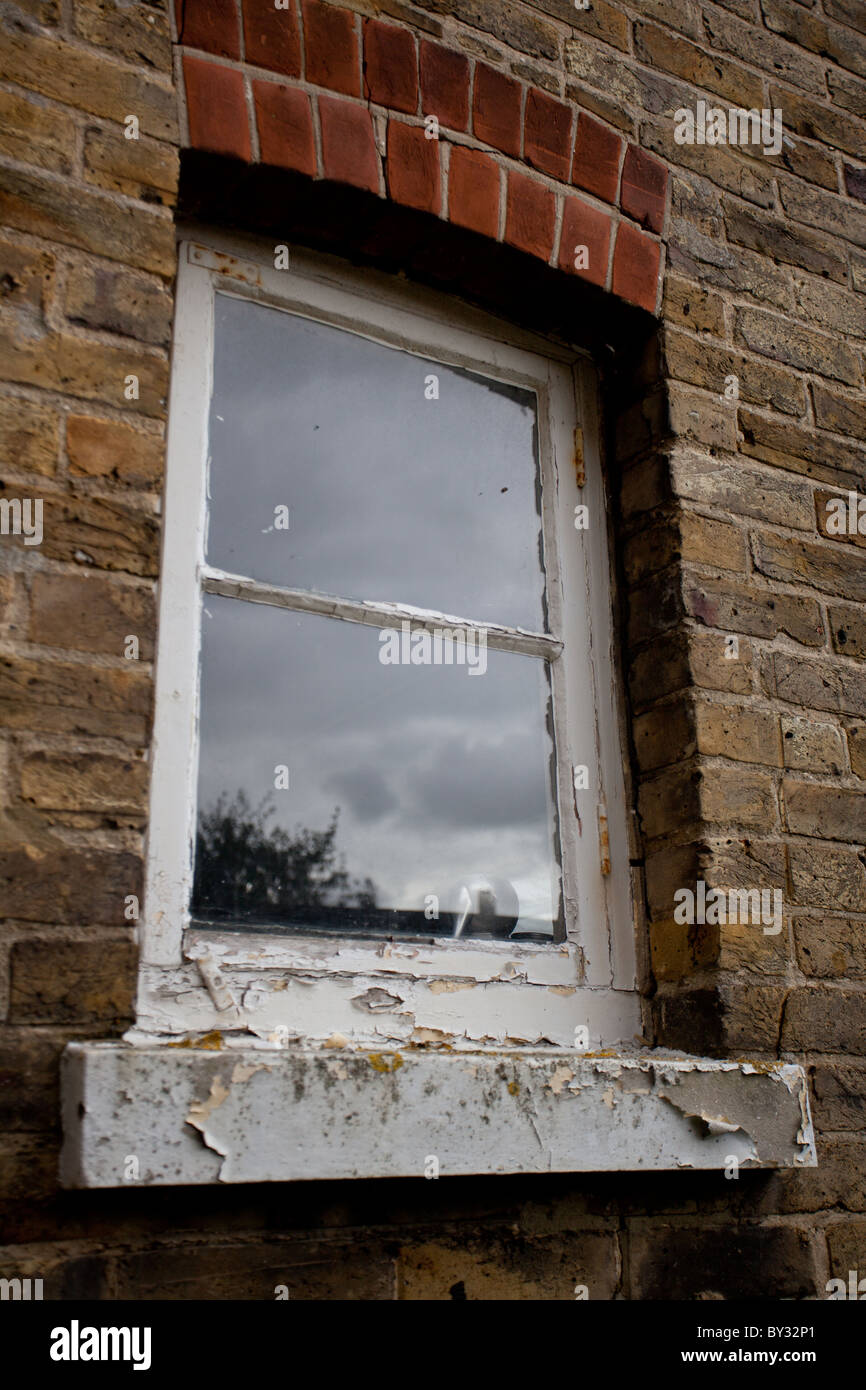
(268, 990)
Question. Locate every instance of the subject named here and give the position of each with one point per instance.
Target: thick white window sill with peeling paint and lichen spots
(250, 1115)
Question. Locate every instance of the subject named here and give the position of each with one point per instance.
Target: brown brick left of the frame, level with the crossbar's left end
(92, 614)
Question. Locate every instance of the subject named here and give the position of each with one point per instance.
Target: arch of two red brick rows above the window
(334, 95)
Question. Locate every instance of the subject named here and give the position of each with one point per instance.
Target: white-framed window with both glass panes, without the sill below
(389, 793)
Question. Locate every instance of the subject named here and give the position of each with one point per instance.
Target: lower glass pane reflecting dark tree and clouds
(411, 787)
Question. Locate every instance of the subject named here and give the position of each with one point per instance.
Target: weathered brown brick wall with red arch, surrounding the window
(733, 419)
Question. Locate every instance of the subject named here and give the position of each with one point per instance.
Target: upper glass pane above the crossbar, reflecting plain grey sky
(345, 468)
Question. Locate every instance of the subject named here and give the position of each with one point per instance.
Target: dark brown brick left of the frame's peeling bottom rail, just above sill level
(67, 982)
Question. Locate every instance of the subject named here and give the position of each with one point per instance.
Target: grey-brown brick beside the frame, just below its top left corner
(117, 301)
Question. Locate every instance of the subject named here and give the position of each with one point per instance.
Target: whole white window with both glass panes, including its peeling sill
(389, 896)
